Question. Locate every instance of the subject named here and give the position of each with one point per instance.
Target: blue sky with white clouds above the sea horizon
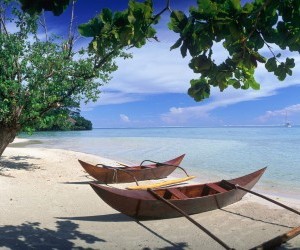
(151, 88)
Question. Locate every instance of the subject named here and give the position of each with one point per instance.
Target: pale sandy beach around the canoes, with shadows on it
(46, 204)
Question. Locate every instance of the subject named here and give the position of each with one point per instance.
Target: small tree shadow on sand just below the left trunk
(17, 162)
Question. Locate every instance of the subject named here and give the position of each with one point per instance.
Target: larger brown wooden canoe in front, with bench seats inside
(192, 199)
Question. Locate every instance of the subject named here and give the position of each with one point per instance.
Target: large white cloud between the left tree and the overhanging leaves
(153, 69)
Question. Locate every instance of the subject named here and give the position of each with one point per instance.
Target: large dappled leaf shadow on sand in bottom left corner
(31, 236)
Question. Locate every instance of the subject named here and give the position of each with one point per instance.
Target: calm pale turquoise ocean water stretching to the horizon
(211, 153)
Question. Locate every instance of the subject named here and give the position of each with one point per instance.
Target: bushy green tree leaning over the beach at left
(38, 76)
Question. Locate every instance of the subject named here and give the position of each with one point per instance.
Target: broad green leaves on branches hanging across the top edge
(243, 30)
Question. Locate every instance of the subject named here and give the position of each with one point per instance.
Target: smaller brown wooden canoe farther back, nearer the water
(108, 174)
